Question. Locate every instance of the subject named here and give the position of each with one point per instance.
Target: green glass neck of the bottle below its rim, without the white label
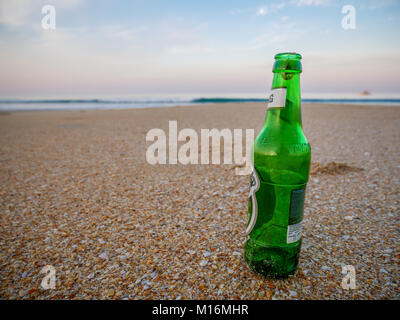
(291, 113)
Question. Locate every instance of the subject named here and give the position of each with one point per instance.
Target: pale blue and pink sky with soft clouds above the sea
(101, 47)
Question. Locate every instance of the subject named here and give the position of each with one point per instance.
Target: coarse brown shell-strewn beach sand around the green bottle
(77, 194)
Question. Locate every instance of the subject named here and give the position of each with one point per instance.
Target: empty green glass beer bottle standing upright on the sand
(278, 180)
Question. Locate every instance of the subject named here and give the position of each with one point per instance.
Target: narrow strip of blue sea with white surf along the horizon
(149, 101)
